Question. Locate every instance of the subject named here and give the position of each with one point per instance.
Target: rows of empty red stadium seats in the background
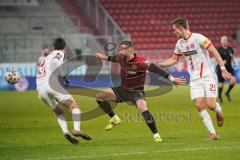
(148, 21)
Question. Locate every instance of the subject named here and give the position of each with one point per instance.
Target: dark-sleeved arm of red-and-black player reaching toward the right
(178, 81)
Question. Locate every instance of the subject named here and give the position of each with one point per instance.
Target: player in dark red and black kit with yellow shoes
(133, 73)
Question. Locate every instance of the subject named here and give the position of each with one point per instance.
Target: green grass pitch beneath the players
(29, 130)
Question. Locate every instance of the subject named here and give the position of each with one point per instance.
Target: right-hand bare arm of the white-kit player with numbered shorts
(212, 50)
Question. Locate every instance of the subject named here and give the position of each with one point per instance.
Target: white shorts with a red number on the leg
(204, 87)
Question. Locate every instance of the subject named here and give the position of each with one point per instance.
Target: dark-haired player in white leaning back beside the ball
(47, 79)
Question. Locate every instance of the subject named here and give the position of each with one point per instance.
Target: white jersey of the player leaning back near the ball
(48, 65)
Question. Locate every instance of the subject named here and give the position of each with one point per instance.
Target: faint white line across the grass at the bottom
(137, 153)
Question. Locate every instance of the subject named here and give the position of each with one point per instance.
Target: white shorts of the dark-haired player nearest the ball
(52, 97)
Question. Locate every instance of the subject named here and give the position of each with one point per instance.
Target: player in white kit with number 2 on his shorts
(195, 48)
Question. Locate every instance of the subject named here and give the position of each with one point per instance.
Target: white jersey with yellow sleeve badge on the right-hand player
(194, 50)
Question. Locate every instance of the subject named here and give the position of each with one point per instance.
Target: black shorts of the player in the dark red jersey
(124, 96)
